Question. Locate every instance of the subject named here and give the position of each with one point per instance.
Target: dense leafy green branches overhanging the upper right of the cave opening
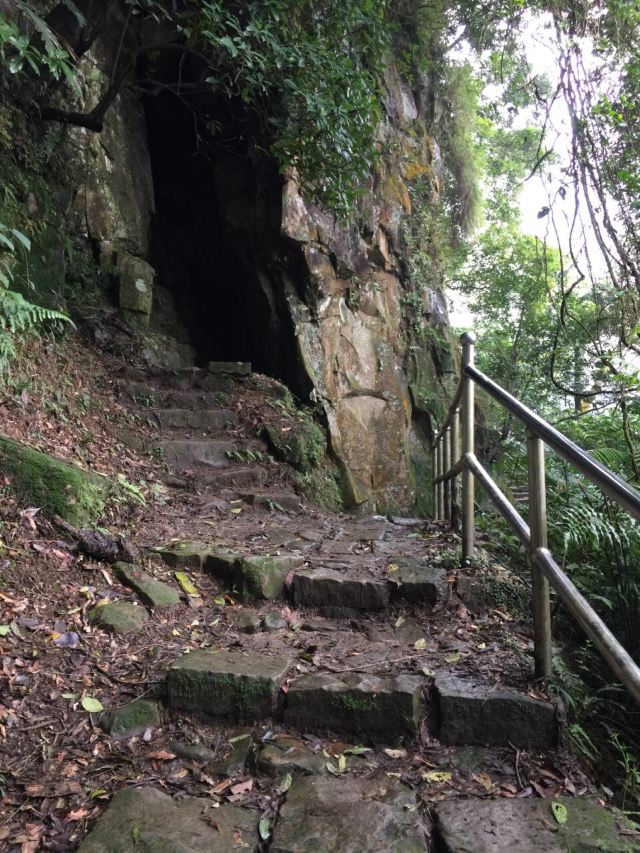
(311, 72)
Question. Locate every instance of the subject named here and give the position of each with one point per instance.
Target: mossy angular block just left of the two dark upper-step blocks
(254, 576)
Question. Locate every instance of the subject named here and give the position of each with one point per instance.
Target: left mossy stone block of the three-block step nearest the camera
(228, 684)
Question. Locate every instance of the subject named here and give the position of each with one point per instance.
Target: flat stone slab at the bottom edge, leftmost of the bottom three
(145, 820)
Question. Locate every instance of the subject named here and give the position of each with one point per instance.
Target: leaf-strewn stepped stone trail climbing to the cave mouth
(279, 677)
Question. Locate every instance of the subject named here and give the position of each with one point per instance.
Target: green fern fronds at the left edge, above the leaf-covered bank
(18, 316)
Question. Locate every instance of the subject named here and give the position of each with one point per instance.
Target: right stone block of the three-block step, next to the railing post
(471, 714)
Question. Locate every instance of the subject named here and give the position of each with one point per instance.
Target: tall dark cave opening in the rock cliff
(216, 243)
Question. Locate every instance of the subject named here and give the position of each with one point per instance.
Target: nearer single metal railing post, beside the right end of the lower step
(540, 585)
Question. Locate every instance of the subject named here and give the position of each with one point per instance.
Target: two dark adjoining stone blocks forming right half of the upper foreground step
(411, 580)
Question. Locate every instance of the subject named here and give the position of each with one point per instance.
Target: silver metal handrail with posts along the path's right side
(454, 455)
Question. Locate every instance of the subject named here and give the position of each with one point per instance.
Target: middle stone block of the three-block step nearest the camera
(374, 707)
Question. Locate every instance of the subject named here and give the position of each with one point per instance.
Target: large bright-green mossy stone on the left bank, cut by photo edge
(39, 479)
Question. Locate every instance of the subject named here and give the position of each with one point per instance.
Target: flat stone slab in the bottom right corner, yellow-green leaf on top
(500, 826)
